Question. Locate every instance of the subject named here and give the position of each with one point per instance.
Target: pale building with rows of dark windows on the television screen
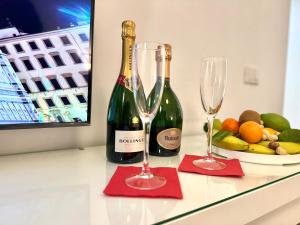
(53, 67)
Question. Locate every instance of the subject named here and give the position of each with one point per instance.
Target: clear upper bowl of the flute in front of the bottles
(147, 66)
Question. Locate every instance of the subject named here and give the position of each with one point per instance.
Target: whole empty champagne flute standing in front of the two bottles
(147, 79)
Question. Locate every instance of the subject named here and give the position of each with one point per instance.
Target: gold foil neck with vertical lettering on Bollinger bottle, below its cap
(127, 47)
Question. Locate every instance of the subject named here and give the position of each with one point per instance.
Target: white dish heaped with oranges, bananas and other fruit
(257, 138)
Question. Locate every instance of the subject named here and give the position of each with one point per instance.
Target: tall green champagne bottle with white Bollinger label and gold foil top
(125, 135)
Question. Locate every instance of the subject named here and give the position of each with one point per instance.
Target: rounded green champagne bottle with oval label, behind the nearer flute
(166, 127)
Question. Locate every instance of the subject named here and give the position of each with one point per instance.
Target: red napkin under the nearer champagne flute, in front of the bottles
(118, 187)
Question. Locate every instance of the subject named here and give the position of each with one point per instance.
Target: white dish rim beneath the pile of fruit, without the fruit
(258, 158)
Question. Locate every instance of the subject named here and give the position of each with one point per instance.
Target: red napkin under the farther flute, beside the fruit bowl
(233, 167)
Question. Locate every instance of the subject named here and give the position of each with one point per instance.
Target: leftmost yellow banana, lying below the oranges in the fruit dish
(232, 143)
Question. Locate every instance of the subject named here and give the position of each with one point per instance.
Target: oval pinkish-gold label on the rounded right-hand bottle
(169, 138)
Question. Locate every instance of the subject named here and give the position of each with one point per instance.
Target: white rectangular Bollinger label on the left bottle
(129, 141)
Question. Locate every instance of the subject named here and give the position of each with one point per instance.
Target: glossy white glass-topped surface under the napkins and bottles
(65, 187)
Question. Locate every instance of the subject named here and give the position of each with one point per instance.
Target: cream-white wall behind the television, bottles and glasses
(246, 32)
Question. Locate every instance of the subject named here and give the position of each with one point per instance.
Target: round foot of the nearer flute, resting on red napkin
(145, 182)
